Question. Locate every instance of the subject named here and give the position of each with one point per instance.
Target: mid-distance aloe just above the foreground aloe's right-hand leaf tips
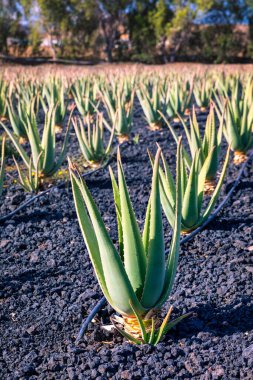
(151, 102)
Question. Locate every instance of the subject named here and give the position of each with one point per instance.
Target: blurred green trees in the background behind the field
(153, 31)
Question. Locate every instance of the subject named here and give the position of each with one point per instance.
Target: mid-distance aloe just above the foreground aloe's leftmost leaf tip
(92, 143)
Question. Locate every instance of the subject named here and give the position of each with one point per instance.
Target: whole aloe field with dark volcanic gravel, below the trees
(126, 222)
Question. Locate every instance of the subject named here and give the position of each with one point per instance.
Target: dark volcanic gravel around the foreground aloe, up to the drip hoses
(47, 287)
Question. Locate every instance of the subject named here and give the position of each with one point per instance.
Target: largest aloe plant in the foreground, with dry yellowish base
(138, 278)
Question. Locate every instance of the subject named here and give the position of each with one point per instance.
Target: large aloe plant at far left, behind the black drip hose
(43, 150)
